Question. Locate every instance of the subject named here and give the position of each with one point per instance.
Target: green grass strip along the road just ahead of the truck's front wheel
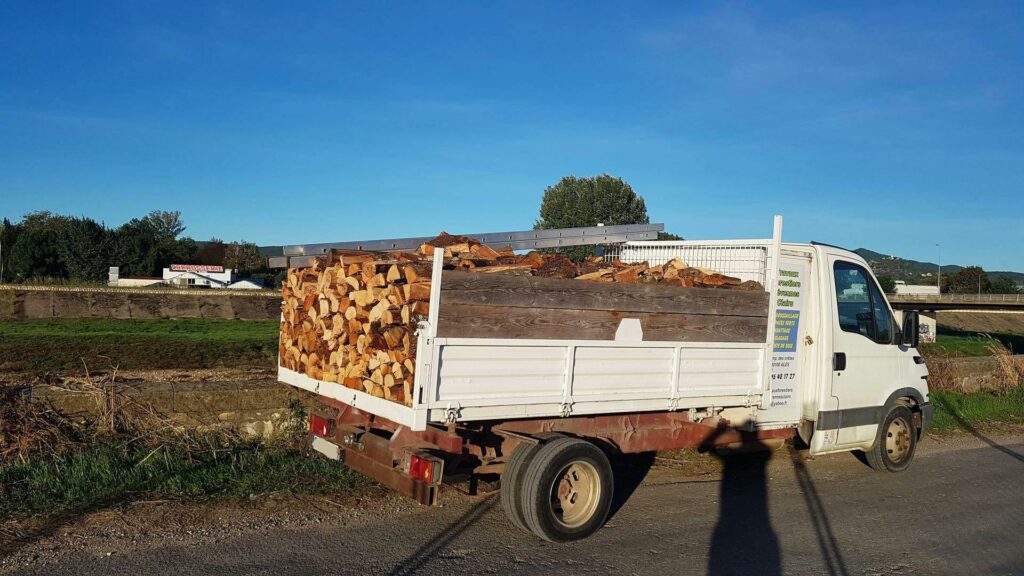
(971, 410)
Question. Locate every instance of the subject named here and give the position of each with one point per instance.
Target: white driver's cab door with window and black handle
(865, 359)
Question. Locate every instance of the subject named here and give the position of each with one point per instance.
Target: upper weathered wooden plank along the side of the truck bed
(527, 292)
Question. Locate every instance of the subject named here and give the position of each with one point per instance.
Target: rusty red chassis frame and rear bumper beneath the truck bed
(381, 448)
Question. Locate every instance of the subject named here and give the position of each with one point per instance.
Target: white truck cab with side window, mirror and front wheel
(872, 383)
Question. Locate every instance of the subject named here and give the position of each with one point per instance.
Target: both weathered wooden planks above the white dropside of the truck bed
(499, 306)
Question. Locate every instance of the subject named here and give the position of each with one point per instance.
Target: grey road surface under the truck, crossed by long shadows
(959, 511)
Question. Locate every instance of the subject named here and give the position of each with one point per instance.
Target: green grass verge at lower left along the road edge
(115, 471)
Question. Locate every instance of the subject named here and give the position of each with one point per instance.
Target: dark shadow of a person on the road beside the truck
(744, 542)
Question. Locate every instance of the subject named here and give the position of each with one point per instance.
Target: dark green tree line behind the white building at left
(45, 245)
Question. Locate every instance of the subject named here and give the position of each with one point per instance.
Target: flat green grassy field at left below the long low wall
(61, 345)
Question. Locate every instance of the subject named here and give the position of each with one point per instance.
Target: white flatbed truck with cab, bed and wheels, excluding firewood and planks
(834, 367)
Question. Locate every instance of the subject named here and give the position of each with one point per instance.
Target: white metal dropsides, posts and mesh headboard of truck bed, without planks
(464, 380)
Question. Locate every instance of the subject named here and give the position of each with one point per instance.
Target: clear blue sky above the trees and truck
(893, 127)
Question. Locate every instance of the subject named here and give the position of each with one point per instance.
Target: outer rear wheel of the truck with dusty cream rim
(567, 490)
